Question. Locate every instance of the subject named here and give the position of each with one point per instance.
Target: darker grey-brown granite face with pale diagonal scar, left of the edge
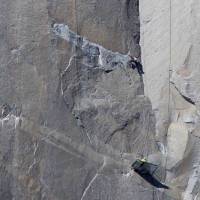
(73, 113)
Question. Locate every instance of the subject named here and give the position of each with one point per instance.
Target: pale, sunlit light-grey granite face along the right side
(170, 54)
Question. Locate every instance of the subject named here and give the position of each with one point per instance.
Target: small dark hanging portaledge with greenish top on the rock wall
(146, 170)
